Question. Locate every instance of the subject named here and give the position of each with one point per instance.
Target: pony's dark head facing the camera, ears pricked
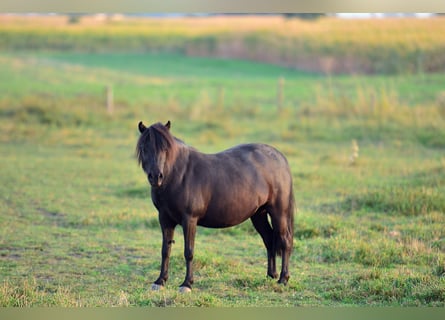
(154, 149)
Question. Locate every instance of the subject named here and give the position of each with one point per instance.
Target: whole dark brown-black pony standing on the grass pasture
(219, 190)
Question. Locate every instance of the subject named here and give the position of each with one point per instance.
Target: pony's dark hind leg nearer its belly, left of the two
(262, 226)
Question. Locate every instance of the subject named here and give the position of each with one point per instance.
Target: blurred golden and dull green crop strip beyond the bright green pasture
(328, 45)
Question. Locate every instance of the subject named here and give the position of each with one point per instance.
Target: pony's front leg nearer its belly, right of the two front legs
(189, 228)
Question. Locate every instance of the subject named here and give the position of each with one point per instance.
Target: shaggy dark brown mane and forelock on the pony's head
(158, 136)
